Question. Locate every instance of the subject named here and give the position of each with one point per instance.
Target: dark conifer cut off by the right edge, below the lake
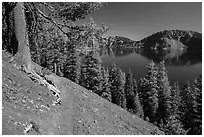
(192, 108)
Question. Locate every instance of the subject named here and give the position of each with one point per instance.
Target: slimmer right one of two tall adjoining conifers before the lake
(164, 94)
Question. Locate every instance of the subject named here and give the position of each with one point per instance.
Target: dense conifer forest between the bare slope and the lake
(75, 55)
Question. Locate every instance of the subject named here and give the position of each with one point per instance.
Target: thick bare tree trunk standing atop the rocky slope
(23, 53)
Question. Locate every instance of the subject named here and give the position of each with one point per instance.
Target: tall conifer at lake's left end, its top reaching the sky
(90, 76)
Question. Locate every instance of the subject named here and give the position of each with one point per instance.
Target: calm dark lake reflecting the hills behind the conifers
(181, 65)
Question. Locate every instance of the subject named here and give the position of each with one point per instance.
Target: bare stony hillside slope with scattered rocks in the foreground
(30, 108)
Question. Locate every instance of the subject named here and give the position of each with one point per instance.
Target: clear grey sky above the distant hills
(137, 20)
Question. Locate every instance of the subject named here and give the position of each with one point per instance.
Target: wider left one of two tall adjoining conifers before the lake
(148, 92)
